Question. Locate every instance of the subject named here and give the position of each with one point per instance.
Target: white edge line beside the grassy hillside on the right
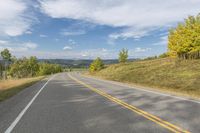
(140, 89)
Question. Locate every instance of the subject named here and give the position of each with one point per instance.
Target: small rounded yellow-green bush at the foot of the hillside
(96, 65)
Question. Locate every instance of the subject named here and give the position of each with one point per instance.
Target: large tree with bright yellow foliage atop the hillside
(184, 40)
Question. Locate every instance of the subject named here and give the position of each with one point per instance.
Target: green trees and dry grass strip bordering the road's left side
(17, 74)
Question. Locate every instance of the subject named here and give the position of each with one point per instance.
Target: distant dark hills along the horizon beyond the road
(79, 63)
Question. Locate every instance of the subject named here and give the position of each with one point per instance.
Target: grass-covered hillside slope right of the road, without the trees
(166, 74)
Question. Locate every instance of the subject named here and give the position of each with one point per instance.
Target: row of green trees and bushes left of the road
(11, 67)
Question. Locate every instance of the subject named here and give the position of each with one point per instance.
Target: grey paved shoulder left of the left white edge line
(11, 107)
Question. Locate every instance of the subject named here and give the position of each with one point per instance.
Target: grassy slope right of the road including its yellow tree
(176, 71)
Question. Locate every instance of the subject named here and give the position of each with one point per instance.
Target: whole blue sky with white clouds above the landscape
(90, 28)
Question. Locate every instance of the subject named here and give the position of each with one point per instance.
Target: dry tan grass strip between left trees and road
(9, 88)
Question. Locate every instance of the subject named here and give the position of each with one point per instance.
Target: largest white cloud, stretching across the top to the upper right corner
(137, 17)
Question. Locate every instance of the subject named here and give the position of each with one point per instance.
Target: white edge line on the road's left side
(14, 123)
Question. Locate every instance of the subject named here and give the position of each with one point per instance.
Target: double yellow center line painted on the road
(145, 114)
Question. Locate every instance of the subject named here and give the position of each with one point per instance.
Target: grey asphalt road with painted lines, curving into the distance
(71, 103)
